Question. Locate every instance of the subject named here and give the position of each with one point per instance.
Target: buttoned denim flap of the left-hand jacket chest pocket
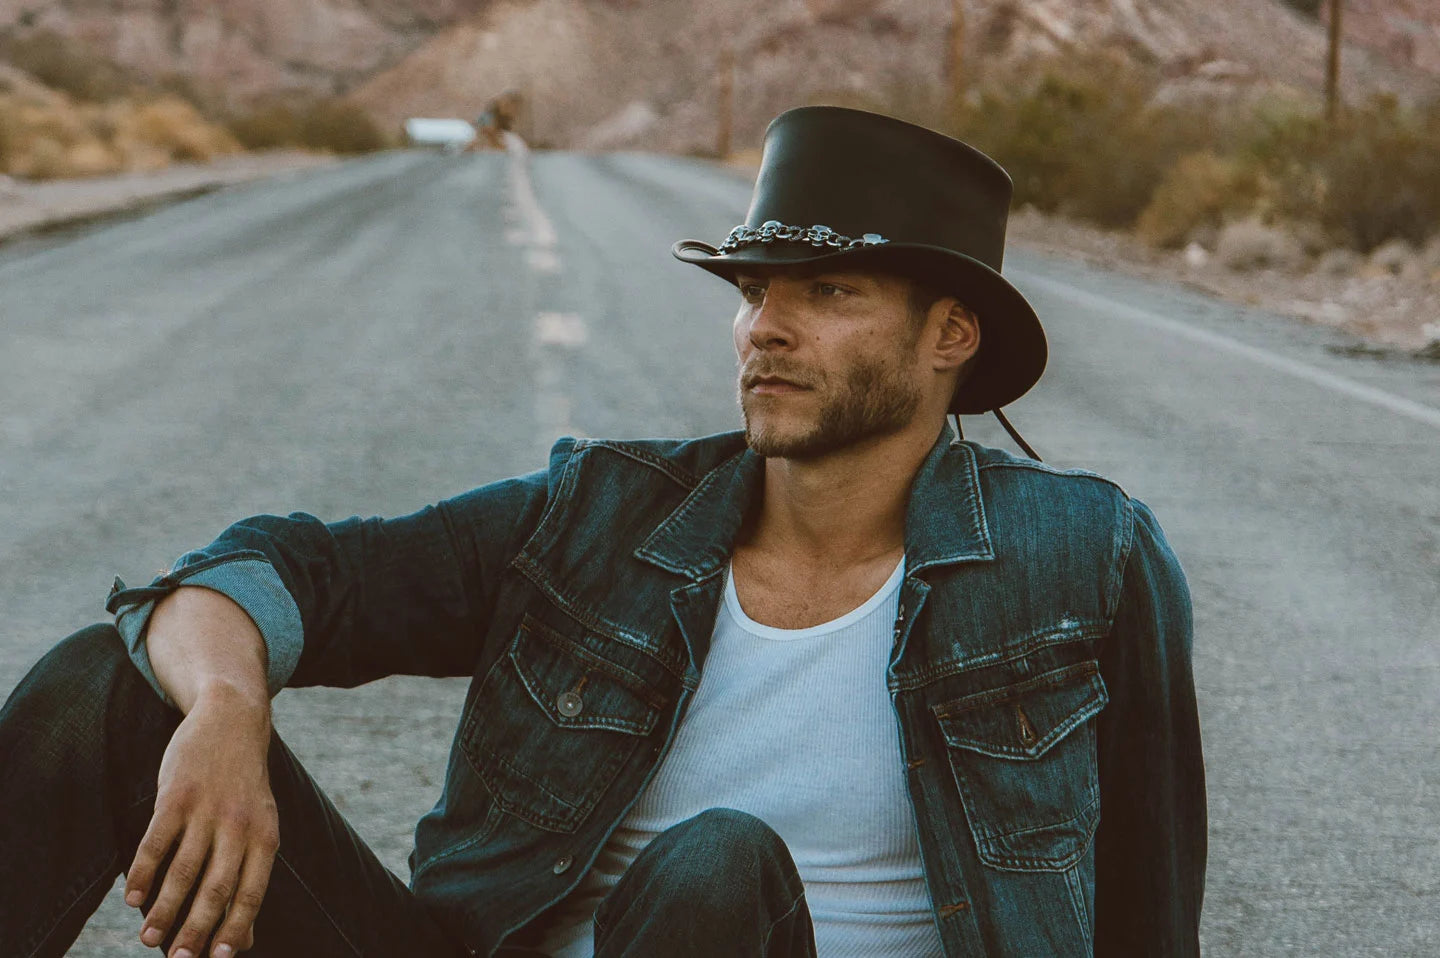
(580, 689)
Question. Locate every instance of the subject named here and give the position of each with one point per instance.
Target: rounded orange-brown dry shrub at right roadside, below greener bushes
(1199, 192)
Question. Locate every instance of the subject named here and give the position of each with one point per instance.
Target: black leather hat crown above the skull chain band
(859, 174)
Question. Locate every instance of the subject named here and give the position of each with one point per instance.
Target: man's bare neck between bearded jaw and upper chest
(843, 509)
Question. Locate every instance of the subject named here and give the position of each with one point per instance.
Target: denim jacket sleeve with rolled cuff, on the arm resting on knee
(371, 597)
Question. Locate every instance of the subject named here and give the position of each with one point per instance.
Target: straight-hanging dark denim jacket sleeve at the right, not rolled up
(1151, 841)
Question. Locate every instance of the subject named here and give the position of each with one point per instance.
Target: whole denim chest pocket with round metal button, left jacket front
(552, 727)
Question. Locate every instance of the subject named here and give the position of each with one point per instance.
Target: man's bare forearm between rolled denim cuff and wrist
(201, 642)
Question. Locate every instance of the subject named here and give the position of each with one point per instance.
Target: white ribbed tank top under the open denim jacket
(794, 727)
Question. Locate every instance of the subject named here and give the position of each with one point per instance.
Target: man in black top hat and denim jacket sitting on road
(839, 684)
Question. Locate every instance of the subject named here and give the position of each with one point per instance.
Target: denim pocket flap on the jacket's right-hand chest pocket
(1023, 721)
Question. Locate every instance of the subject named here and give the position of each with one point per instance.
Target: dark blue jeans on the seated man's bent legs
(81, 741)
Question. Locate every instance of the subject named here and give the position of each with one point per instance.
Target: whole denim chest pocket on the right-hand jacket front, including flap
(1025, 761)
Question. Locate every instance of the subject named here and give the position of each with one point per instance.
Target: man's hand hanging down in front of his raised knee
(215, 802)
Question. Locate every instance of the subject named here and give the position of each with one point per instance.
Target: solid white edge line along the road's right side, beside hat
(1421, 413)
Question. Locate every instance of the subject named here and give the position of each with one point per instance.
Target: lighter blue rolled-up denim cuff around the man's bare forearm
(253, 584)
